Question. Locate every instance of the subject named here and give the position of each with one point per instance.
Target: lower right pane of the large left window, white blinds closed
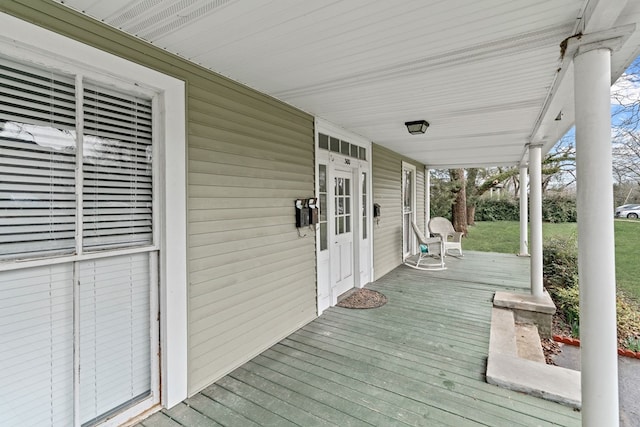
(114, 336)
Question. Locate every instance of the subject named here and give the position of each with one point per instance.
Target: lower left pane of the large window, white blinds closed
(37, 362)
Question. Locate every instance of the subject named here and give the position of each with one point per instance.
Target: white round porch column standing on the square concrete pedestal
(535, 217)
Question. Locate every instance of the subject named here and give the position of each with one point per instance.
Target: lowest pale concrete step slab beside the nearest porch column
(546, 381)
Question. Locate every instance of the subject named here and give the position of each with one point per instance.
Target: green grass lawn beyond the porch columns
(504, 236)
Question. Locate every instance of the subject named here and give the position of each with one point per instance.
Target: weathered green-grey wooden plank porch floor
(419, 360)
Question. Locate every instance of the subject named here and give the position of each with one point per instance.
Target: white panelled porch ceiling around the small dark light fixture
(481, 72)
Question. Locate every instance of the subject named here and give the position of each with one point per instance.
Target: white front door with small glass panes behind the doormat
(342, 251)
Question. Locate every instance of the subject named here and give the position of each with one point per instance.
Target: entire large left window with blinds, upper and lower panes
(76, 177)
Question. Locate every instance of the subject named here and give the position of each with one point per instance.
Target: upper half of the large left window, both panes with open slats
(39, 142)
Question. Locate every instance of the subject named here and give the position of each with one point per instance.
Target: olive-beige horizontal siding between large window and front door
(252, 278)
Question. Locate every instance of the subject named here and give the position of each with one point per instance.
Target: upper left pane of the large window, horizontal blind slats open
(37, 162)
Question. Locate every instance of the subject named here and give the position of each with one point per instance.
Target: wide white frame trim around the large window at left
(27, 42)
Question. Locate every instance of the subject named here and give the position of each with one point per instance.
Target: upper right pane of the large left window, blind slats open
(117, 154)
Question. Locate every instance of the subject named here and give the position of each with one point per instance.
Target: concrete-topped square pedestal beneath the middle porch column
(529, 309)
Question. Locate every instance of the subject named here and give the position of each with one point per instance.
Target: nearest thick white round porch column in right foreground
(592, 80)
